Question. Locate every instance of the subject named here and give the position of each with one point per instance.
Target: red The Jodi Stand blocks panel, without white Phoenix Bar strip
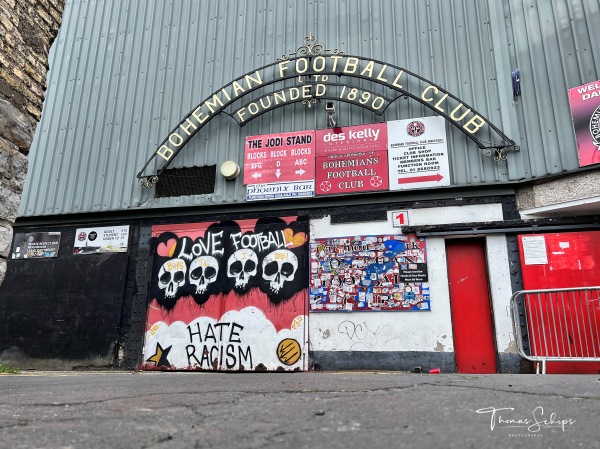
(285, 157)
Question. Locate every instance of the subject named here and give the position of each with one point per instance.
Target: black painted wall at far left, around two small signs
(64, 312)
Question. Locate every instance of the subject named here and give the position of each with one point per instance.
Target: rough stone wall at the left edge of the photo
(27, 29)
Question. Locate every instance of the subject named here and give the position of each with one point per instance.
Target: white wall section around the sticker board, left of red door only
(385, 331)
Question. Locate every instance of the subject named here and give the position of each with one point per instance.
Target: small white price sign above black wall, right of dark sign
(110, 239)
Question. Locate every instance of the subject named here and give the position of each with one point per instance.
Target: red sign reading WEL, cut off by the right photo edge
(585, 107)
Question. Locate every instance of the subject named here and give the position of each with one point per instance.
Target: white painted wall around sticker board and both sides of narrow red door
(415, 331)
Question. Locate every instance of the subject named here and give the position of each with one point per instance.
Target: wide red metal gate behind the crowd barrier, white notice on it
(561, 324)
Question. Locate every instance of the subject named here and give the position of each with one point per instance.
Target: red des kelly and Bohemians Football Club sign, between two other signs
(351, 159)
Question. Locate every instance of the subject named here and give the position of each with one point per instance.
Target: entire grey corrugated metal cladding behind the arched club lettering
(123, 73)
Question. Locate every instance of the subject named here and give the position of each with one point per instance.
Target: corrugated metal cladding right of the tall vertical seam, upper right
(556, 45)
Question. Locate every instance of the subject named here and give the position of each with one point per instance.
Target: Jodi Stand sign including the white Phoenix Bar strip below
(279, 165)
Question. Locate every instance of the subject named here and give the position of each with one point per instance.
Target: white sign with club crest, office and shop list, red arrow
(418, 153)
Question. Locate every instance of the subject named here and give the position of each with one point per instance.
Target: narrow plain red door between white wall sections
(470, 306)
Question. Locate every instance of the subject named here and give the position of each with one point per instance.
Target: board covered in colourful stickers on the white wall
(386, 273)
